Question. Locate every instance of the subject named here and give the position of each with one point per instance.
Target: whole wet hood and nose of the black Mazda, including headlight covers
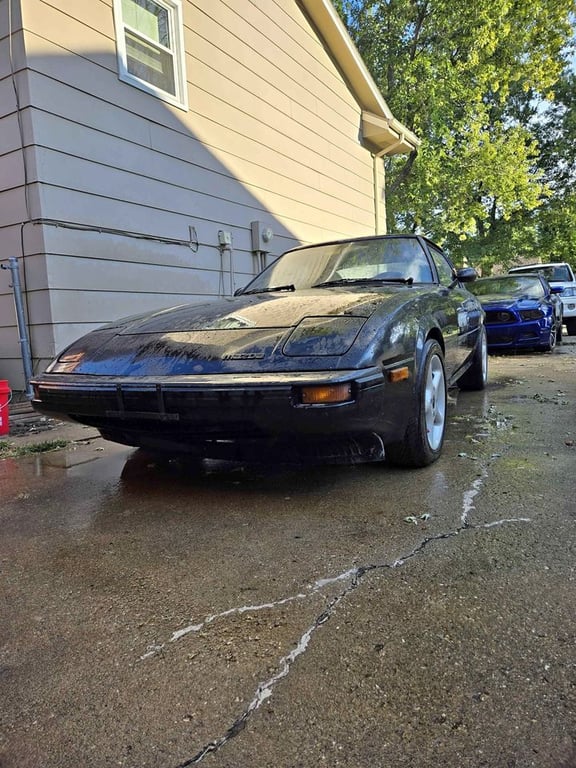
(265, 332)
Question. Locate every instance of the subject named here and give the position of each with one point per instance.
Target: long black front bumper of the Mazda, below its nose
(230, 415)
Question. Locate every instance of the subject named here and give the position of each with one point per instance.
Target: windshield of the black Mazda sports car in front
(378, 260)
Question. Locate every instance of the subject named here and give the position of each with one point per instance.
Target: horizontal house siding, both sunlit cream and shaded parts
(136, 190)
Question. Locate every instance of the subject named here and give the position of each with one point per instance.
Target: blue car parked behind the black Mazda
(522, 312)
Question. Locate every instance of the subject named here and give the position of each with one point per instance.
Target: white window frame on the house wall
(177, 52)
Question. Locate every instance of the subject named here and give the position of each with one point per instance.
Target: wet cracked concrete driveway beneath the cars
(154, 615)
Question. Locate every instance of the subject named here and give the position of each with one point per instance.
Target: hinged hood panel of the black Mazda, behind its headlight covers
(264, 310)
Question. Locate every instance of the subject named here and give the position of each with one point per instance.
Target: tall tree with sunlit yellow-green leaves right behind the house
(467, 78)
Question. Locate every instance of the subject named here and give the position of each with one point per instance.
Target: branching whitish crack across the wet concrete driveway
(354, 577)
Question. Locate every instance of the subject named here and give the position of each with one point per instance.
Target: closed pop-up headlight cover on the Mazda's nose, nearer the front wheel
(323, 336)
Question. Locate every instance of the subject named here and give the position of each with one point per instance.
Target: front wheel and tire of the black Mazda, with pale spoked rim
(424, 437)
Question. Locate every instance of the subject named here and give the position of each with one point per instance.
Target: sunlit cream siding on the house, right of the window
(270, 84)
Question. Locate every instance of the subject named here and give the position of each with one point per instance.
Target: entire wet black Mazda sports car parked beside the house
(341, 351)
